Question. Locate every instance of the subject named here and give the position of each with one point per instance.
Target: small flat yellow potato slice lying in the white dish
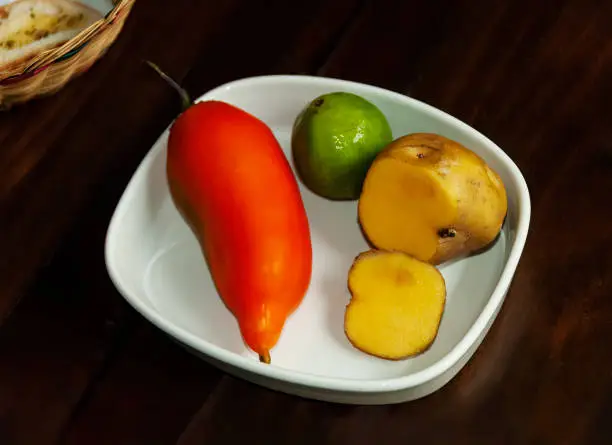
(396, 304)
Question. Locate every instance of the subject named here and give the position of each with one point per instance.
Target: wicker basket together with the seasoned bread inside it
(46, 43)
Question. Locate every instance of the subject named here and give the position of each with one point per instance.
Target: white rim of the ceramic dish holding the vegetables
(436, 369)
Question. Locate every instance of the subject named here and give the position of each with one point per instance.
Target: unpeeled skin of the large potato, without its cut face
(477, 190)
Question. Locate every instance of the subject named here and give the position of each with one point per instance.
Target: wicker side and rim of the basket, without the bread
(50, 70)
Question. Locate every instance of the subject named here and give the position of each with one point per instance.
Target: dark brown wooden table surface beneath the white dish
(78, 366)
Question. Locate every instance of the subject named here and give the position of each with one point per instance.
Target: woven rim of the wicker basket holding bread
(69, 48)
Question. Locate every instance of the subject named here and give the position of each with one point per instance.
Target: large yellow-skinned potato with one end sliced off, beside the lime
(432, 198)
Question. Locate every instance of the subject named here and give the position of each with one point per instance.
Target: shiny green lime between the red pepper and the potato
(335, 140)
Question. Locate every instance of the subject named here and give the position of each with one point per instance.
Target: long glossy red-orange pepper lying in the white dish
(234, 186)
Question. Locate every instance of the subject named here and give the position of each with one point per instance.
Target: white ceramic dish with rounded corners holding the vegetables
(155, 262)
